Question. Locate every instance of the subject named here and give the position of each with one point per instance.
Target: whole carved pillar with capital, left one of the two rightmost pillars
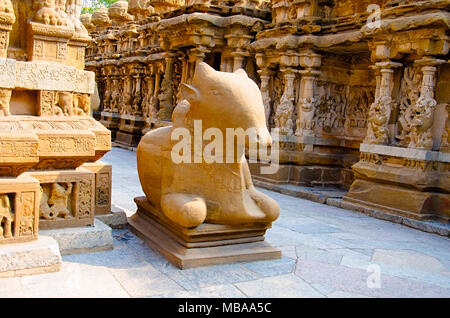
(380, 110)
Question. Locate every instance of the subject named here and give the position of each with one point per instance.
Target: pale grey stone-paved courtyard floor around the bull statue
(327, 252)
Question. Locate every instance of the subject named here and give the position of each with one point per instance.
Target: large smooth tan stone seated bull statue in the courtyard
(220, 193)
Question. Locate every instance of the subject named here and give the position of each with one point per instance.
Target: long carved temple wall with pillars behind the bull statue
(356, 88)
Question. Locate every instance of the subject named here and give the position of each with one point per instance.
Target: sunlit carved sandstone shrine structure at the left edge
(49, 143)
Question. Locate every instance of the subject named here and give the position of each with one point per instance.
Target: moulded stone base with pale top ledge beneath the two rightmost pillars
(404, 181)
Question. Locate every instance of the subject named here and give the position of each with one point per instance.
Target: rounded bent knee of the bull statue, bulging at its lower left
(183, 209)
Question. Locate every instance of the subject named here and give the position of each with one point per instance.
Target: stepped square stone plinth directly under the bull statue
(207, 244)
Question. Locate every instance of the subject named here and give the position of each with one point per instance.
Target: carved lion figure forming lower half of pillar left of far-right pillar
(379, 114)
